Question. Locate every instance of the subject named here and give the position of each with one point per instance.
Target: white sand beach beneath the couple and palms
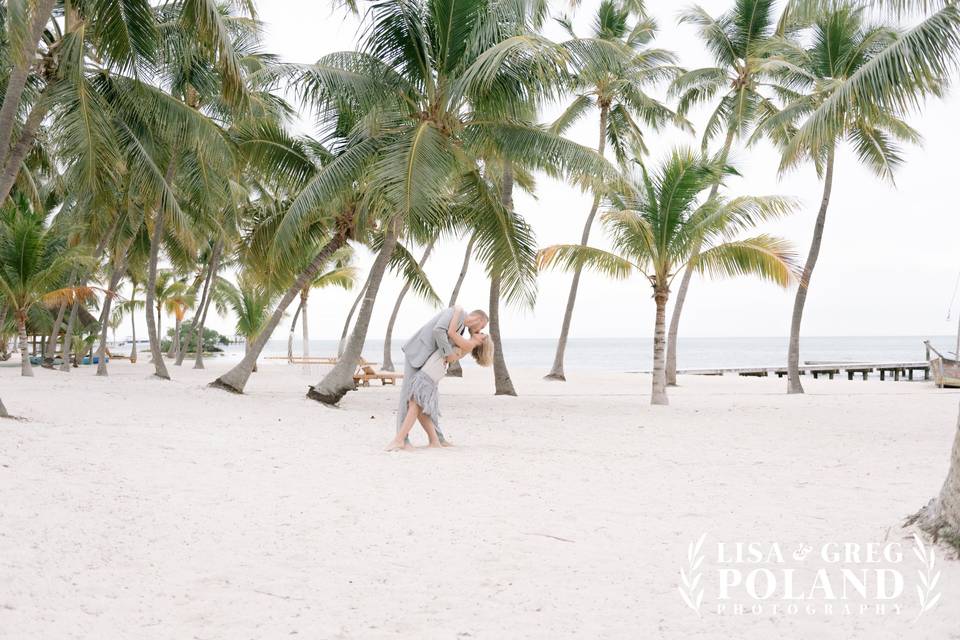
(136, 508)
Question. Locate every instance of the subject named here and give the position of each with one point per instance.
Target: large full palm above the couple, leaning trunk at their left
(438, 87)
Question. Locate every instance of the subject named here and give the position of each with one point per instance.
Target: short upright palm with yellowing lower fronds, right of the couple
(656, 226)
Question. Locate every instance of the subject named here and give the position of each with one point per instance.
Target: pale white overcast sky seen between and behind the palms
(888, 265)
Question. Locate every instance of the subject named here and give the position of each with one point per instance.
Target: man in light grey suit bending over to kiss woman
(435, 335)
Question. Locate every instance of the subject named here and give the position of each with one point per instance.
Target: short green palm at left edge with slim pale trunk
(34, 263)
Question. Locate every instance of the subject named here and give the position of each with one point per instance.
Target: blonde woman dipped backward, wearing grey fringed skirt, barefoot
(423, 403)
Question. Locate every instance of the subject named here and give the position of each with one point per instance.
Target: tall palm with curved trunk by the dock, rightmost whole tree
(842, 44)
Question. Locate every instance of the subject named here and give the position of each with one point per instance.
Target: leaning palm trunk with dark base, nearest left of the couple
(339, 380)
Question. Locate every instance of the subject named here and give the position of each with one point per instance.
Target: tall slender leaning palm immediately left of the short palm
(615, 86)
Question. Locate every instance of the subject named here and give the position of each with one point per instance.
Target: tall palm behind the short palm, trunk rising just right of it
(743, 42)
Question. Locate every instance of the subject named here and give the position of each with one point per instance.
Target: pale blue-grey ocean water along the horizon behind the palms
(632, 354)
